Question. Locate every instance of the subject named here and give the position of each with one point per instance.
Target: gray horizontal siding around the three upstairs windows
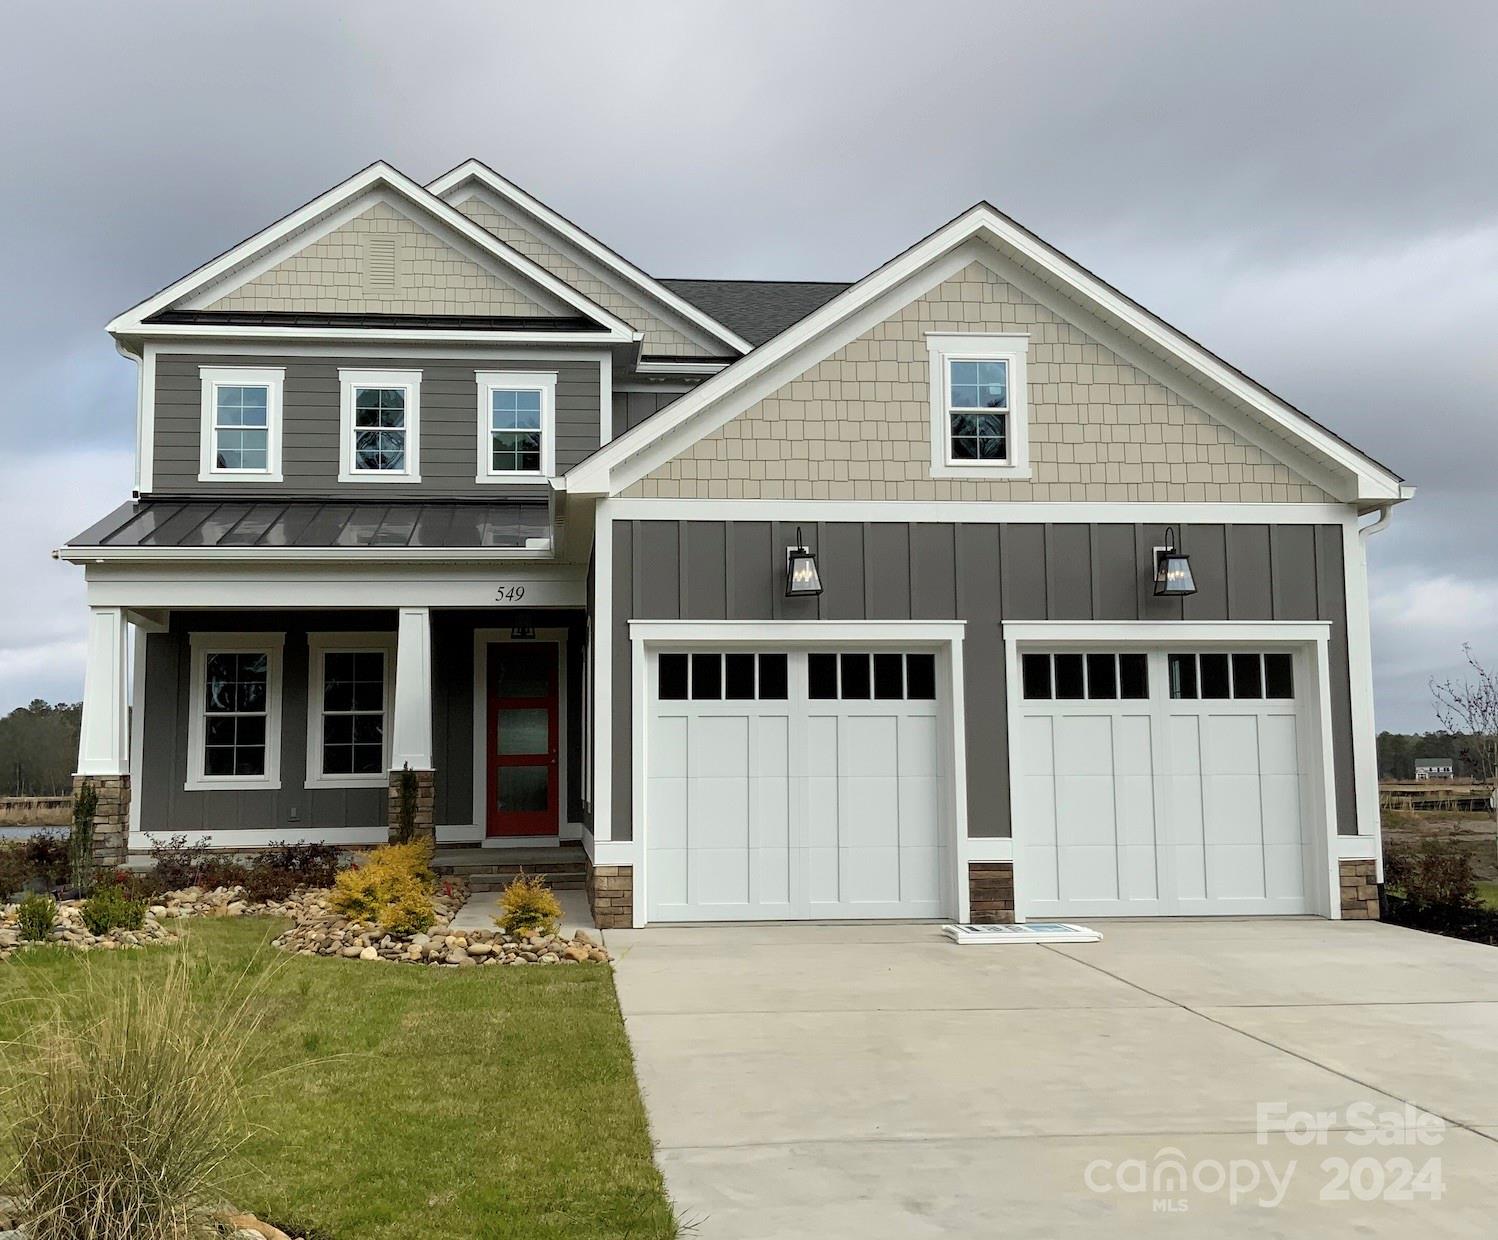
(312, 410)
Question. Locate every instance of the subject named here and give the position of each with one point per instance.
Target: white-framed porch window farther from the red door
(234, 723)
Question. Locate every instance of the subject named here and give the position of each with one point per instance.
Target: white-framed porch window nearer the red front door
(348, 709)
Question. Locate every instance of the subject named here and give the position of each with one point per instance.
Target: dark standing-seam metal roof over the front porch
(360, 525)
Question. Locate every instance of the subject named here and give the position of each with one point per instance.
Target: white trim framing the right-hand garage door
(1314, 706)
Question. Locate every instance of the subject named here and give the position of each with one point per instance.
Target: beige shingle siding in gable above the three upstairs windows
(333, 275)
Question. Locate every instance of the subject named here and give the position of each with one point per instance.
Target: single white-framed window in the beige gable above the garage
(979, 405)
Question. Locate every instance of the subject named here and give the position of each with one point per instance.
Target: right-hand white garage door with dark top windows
(1162, 782)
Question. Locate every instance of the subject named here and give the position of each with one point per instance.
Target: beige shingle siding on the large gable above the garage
(858, 425)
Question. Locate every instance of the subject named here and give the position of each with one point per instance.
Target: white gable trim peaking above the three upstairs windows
(299, 228)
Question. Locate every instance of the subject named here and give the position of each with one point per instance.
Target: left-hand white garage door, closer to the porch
(790, 785)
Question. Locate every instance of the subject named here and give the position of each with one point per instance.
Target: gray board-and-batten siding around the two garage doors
(982, 574)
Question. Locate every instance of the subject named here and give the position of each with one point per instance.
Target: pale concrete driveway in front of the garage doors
(879, 1082)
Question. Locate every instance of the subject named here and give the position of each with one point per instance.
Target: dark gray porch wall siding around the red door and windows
(296, 811)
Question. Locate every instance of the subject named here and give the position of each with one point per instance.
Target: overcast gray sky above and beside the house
(1310, 189)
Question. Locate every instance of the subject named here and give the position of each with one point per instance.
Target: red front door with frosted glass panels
(524, 774)
